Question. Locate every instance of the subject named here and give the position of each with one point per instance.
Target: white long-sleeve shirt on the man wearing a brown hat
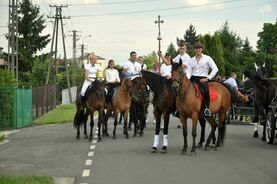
(202, 67)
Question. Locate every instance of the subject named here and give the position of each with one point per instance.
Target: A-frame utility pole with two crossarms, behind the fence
(58, 17)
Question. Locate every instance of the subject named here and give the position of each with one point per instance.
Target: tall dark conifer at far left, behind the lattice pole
(30, 27)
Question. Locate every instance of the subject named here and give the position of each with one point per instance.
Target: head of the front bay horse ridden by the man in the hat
(177, 75)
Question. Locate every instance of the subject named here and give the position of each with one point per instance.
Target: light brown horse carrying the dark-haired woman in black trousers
(120, 103)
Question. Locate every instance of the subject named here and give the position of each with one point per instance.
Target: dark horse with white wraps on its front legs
(164, 104)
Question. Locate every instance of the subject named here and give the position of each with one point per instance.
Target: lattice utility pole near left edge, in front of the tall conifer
(13, 37)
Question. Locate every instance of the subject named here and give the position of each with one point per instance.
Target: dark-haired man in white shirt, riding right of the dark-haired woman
(132, 67)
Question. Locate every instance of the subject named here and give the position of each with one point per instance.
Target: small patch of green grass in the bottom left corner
(26, 180)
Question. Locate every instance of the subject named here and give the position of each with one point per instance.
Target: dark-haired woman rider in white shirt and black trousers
(112, 79)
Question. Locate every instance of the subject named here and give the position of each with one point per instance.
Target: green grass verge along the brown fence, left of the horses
(61, 114)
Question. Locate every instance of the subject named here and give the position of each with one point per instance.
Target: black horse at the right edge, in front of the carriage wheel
(264, 93)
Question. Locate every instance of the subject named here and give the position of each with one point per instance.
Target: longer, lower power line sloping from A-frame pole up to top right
(161, 9)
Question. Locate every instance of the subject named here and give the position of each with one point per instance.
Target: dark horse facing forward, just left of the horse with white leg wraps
(139, 104)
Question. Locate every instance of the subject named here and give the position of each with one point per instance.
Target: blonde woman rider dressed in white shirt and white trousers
(90, 74)
